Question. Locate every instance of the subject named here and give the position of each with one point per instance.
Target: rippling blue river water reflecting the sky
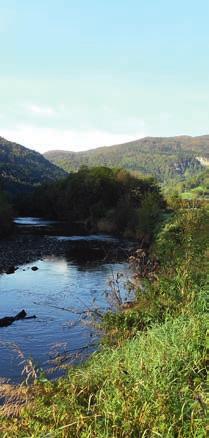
(60, 293)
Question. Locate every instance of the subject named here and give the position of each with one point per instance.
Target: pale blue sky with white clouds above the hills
(78, 74)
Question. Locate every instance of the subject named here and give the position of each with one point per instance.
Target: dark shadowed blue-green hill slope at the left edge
(21, 169)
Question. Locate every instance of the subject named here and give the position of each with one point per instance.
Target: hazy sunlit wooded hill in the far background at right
(165, 158)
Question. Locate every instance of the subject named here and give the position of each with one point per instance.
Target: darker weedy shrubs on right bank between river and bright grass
(169, 278)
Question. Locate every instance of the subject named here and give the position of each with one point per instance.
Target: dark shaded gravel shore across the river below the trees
(22, 249)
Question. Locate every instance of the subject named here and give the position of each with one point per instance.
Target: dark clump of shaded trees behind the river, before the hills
(102, 200)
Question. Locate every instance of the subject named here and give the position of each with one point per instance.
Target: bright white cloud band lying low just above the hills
(44, 139)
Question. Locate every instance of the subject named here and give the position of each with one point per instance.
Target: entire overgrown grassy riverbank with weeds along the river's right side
(150, 377)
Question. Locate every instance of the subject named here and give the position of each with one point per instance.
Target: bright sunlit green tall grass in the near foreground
(153, 385)
